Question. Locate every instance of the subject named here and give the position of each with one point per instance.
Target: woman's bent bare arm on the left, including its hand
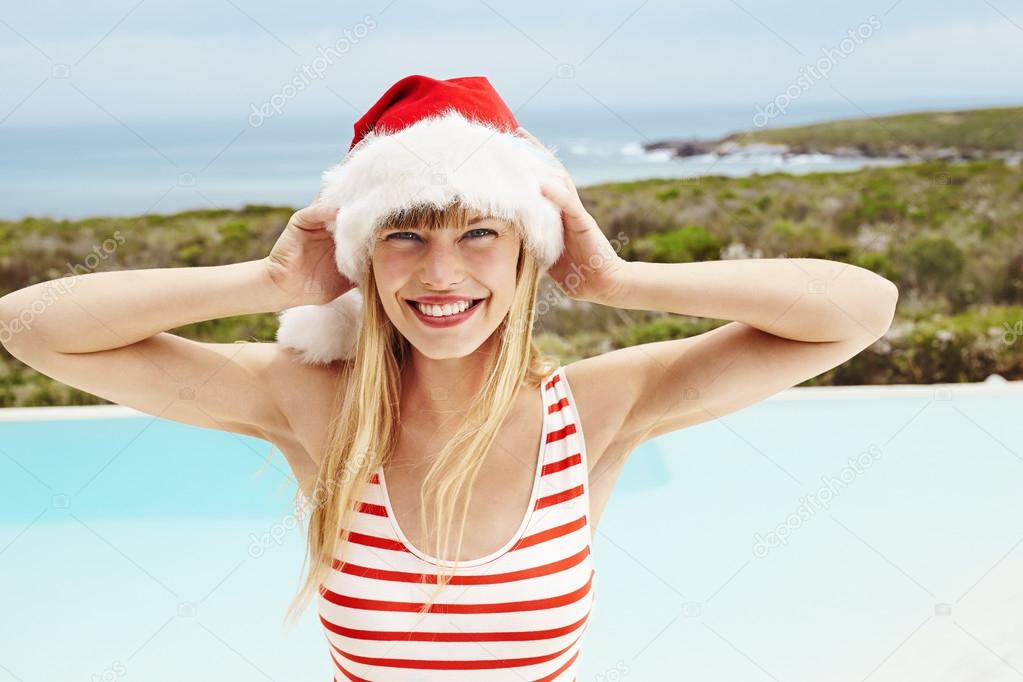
(107, 334)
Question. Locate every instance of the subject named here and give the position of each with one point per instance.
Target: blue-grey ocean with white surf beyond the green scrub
(134, 168)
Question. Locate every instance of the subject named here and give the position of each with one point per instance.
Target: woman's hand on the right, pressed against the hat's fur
(589, 268)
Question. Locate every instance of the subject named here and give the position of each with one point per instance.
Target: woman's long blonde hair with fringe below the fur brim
(364, 430)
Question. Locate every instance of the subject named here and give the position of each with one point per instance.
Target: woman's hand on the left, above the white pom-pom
(302, 262)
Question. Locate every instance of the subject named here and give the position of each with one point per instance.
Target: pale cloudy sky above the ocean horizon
(132, 61)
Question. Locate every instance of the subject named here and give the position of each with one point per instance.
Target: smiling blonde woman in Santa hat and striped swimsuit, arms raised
(436, 412)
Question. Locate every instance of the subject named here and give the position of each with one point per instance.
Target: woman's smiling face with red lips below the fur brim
(475, 265)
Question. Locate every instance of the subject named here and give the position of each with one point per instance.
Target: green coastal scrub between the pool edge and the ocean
(951, 236)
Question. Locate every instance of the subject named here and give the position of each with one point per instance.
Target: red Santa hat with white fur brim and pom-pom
(425, 143)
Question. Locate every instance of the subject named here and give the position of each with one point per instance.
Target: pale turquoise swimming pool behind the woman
(825, 534)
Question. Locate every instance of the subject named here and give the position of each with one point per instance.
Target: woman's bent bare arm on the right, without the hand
(794, 320)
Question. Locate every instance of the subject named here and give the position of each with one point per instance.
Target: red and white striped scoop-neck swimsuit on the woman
(518, 614)
